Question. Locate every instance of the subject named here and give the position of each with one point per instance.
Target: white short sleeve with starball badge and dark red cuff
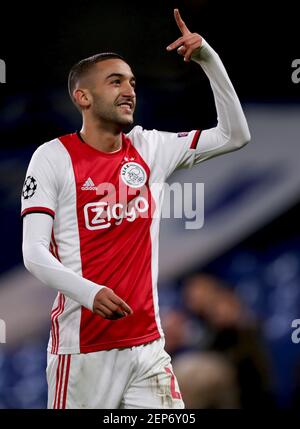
(40, 189)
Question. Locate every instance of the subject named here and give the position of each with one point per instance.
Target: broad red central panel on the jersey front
(133, 270)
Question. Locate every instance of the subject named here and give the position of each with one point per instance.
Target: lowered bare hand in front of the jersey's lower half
(109, 306)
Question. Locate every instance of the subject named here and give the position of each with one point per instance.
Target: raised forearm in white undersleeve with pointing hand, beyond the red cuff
(232, 131)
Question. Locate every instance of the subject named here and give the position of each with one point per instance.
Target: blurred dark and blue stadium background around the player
(229, 291)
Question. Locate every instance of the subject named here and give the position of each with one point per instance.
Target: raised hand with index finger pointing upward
(188, 42)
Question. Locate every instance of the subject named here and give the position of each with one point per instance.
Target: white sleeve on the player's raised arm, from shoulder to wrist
(171, 151)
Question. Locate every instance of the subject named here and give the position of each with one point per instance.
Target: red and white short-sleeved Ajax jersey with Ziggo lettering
(110, 238)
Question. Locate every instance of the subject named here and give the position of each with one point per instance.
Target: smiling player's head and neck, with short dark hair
(102, 88)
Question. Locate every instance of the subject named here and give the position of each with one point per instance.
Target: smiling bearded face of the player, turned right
(112, 92)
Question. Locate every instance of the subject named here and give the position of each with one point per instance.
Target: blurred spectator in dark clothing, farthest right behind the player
(233, 332)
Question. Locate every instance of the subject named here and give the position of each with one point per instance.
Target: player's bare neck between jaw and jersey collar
(101, 138)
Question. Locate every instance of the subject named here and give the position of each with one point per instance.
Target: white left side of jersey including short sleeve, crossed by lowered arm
(54, 193)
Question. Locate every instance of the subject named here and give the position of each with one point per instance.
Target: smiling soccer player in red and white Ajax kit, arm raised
(91, 224)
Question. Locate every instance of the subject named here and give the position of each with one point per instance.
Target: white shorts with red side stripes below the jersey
(135, 377)
